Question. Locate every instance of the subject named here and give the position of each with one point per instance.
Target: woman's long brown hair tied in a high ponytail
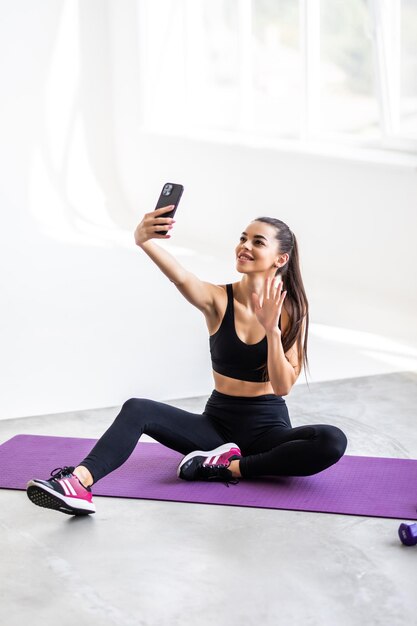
(295, 302)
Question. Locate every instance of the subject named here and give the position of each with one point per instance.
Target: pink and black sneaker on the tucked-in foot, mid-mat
(210, 465)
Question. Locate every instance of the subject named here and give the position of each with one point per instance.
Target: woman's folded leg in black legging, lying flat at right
(300, 451)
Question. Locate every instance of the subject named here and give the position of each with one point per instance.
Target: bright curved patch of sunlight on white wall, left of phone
(64, 195)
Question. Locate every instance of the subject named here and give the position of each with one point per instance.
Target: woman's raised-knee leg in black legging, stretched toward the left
(175, 428)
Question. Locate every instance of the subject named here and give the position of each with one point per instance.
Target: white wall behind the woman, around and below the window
(86, 320)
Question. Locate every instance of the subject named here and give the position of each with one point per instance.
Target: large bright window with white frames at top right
(306, 70)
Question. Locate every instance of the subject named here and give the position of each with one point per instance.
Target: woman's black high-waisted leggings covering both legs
(260, 426)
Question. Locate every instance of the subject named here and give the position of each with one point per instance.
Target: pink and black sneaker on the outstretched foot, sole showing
(62, 492)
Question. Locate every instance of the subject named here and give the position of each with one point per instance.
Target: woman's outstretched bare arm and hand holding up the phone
(199, 293)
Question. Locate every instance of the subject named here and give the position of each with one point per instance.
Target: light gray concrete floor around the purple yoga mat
(166, 563)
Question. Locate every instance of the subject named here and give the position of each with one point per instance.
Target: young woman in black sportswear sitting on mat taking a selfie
(258, 330)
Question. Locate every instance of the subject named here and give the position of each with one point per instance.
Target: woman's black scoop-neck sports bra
(233, 357)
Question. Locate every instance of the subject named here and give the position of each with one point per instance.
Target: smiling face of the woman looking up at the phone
(258, 249)
